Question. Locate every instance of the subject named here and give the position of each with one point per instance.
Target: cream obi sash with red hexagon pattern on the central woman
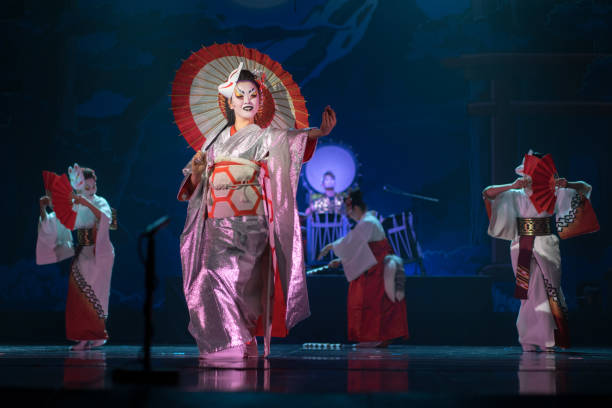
(234, 189)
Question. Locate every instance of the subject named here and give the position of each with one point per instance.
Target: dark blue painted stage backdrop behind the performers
(414, 83)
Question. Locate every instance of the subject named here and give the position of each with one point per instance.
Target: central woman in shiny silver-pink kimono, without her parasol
(225, 253)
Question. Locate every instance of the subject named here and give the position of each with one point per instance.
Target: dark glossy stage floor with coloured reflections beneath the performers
(299, 376)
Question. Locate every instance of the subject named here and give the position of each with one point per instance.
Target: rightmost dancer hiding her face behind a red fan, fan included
(528, 212)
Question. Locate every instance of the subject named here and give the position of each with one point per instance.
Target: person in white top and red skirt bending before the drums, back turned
(376, 306)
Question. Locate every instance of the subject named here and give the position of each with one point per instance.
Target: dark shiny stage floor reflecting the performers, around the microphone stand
(417, 370)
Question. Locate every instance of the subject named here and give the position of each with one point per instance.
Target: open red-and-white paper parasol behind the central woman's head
(199, 109)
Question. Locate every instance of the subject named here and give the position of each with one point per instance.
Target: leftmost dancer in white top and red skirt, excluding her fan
(92, 266)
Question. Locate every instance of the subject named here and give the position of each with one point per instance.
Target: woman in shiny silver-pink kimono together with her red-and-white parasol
(241, 251)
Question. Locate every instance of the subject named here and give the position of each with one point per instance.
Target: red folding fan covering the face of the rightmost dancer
(542, 172)
